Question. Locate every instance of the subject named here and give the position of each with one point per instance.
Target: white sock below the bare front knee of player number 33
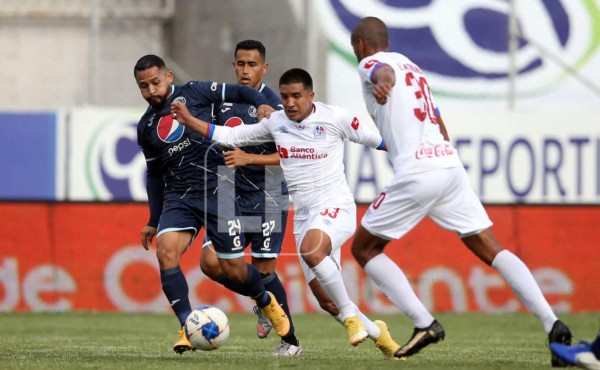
(330, 279)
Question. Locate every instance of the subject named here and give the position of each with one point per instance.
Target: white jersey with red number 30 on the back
(407, 121)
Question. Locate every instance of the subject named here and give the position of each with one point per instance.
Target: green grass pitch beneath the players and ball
(143, 341)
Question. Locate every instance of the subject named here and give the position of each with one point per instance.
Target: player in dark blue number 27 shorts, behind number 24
(261, 192)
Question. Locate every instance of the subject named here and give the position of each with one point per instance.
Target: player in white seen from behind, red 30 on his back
(429, 180)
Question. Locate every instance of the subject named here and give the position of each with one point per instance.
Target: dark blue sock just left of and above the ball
(176, 290)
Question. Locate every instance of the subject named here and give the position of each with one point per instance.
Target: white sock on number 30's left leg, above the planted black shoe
(393, 283)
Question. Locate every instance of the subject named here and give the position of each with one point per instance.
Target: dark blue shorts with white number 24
(217, 214)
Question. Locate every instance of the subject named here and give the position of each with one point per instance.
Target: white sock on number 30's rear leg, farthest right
(520, 279)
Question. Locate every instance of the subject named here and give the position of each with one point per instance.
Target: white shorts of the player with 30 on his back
(444, 195)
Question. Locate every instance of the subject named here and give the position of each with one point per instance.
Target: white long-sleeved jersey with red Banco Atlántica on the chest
(311, 152)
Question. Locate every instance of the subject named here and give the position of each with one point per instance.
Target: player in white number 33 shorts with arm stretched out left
(310, 139)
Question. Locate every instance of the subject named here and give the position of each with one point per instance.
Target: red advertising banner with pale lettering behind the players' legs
(88, 256)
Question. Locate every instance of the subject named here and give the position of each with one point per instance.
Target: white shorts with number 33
(338, 223)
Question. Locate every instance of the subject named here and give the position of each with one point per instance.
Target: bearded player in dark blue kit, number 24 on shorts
(184, 173)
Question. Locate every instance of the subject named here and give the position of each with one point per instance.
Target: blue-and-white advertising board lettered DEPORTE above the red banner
(91, 154)
